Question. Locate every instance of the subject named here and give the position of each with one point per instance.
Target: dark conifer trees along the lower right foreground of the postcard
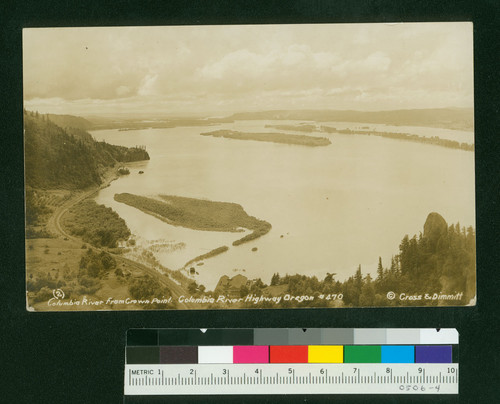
(440, 261)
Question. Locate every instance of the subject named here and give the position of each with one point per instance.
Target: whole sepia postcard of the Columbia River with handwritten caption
(249, 166)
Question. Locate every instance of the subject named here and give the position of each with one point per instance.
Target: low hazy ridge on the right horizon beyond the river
(451, 118)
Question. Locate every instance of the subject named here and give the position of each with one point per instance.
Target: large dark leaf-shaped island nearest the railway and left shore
(198, 214)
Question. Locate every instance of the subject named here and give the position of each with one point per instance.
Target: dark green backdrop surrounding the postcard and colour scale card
(78, 357)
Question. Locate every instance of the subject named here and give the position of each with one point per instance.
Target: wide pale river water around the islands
(331, 208)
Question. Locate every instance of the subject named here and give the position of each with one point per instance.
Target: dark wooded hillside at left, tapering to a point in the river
(67, 159)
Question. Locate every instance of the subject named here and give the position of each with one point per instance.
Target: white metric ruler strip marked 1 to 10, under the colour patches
(291, 379)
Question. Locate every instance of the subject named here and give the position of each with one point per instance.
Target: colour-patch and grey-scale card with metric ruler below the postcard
(312, 361)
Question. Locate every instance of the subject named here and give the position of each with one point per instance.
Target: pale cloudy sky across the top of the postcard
(219, 70)
